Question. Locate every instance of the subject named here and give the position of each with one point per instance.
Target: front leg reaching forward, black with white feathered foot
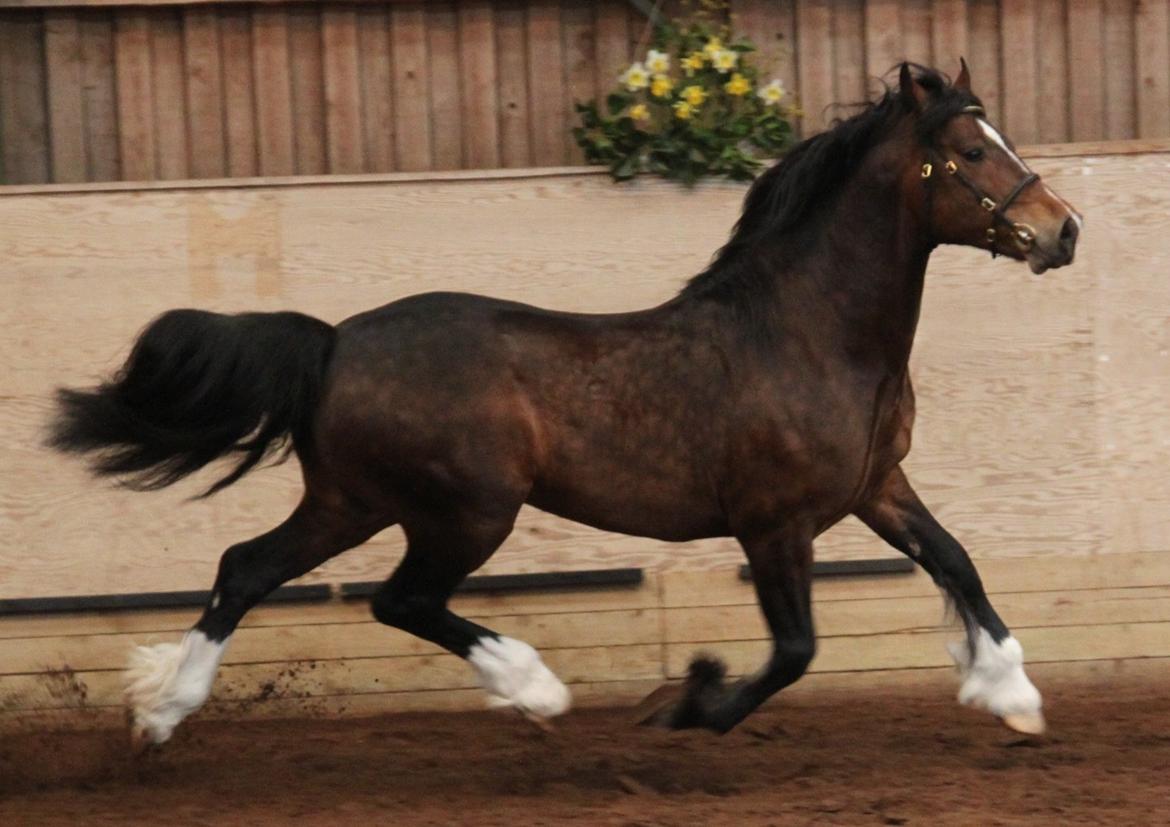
(992, 661)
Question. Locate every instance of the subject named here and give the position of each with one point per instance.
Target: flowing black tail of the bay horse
(199, 387)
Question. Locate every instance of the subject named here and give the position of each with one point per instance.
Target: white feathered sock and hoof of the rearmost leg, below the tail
(168, 683)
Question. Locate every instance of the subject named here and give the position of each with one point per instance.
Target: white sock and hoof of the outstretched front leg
(994, 680)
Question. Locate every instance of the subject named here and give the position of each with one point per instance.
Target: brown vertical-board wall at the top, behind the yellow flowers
(94, 92)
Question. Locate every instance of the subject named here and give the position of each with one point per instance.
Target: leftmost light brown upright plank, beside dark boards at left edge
(66, 100)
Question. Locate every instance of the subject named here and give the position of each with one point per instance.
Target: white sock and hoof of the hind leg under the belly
(514, 676)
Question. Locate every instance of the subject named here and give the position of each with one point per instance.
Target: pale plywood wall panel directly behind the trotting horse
(1042, 429)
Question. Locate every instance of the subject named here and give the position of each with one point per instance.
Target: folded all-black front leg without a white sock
(782, 571)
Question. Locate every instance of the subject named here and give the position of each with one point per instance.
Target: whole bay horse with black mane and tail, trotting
(766, 402)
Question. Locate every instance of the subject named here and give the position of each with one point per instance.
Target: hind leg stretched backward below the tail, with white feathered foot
(169, 681)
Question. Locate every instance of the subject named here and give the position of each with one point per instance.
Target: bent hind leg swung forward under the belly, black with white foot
(441, 554)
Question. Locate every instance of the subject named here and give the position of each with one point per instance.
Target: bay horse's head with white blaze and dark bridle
(976, 191)
